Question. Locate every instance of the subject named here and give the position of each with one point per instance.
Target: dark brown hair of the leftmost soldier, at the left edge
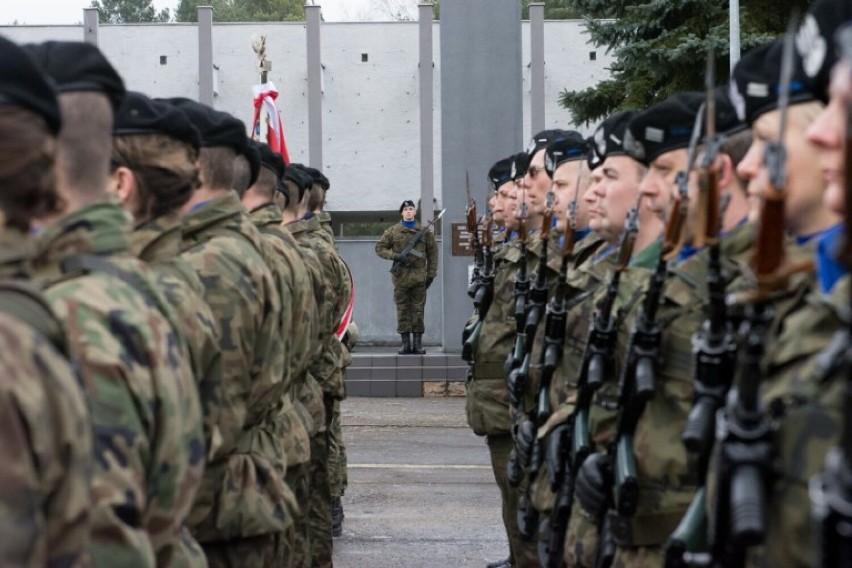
(27, 175)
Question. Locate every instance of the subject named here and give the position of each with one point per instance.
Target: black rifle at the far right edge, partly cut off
(831, 491)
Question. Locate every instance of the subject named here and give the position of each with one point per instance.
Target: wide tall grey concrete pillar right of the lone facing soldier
(481, 122)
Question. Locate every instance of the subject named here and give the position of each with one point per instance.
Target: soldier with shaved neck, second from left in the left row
(132, 355)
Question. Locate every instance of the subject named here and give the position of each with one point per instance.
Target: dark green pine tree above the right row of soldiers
(659, 47)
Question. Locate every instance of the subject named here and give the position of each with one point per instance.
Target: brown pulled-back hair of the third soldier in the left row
(164, 168)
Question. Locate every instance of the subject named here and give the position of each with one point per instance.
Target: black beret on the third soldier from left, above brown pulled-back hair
(139, 114)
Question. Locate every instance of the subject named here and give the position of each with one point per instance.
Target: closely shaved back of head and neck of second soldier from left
(85, 143)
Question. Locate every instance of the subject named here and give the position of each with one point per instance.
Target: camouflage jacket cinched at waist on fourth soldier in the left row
(243, 493)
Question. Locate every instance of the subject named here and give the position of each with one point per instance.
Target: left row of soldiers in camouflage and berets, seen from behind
(172, 307)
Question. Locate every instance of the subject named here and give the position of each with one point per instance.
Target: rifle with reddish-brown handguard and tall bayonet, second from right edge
(742, 433)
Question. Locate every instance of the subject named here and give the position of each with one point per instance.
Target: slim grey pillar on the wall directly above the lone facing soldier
(427, 129)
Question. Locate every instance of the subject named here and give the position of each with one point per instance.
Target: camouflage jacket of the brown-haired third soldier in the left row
(158, 242)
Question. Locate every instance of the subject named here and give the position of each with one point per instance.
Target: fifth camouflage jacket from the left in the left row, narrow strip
(302, 324)
